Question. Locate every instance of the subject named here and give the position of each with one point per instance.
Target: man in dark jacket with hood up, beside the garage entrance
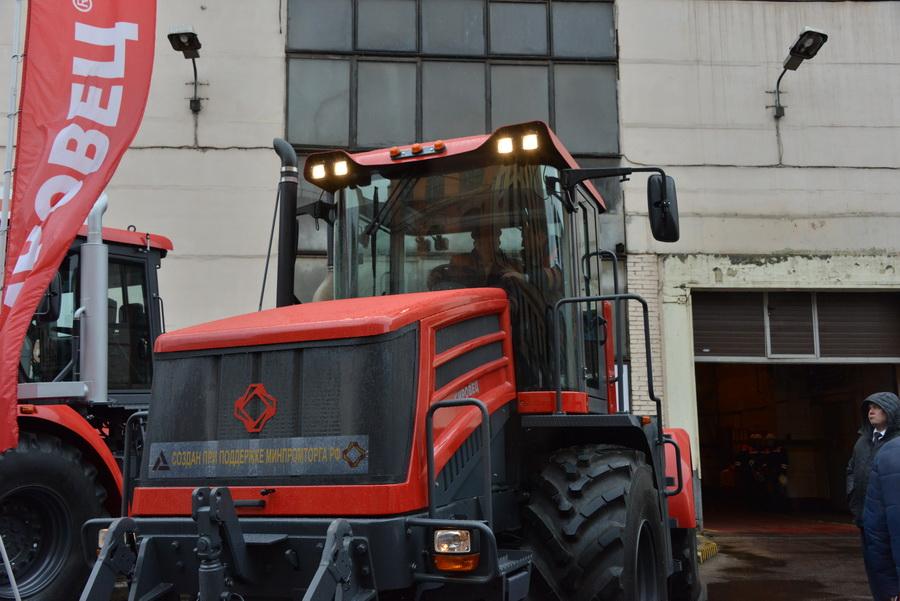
(880, 412)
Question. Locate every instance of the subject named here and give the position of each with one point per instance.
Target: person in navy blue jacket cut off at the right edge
(881, 524)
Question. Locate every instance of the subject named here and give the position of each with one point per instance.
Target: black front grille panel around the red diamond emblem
(351, 389)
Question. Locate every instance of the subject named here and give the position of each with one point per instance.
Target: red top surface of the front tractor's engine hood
(326, 320)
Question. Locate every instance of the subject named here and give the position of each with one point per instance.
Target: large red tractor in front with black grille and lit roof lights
(449, 425)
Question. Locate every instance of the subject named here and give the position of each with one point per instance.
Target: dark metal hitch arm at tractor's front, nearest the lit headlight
(335, 579)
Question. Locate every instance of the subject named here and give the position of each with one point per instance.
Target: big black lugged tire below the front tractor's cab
(594, 525)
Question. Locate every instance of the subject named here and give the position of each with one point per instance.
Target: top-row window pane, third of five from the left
(455, 27)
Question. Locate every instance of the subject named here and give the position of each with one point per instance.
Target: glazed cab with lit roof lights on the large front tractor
(484, 211)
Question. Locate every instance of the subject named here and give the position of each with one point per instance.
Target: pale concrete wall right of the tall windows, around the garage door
(814, 193)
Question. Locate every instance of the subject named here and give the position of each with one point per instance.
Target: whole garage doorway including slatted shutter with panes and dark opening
(780, 378)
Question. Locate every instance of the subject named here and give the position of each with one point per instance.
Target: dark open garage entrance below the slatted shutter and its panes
(777, 437)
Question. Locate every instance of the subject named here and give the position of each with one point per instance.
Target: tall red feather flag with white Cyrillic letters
(85, 81)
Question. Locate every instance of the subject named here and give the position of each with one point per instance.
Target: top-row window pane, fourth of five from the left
(518, 28)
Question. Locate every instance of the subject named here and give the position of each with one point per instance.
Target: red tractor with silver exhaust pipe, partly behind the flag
(74, 403)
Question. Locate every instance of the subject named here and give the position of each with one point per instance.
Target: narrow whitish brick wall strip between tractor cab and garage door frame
(643, 279)
